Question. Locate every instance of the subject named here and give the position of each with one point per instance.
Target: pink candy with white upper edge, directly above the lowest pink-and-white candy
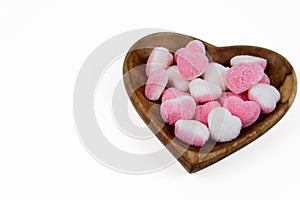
(182, 107)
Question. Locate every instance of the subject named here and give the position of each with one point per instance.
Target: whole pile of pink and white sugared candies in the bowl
(205, 99)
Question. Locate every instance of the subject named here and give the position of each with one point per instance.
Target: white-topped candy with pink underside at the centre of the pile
(204, 91)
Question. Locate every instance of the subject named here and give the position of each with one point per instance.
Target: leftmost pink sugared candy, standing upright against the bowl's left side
(156, 84)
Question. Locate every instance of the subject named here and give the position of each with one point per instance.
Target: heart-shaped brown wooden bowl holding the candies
(279, 70)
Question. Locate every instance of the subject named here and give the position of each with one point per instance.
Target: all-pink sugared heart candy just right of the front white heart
(247, 111)
